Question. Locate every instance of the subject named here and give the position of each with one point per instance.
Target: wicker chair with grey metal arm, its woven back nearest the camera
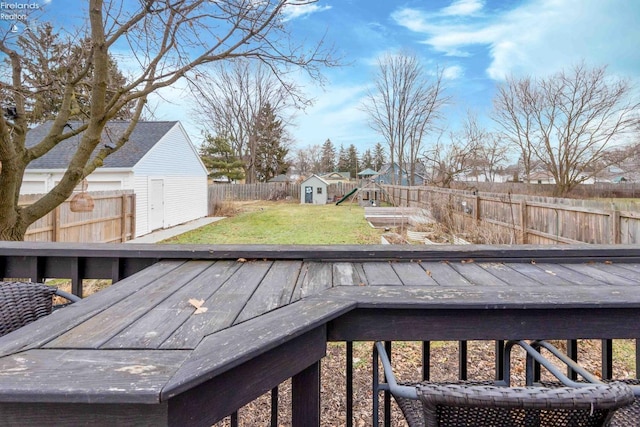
(496, 404)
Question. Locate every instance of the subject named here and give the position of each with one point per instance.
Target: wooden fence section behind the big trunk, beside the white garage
(112, 220)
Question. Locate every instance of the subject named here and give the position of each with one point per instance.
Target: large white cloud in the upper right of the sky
(535, 37)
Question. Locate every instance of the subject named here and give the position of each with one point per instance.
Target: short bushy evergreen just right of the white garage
(217, 156)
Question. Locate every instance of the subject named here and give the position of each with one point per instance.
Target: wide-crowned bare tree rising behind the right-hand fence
(575, 117)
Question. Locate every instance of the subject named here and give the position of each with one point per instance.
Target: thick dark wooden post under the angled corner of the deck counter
(305, 400)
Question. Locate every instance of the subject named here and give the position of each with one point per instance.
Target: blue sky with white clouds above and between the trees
(477, 42)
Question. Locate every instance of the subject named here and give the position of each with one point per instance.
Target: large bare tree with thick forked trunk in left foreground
(166, 40)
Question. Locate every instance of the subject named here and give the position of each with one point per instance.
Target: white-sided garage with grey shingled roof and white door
(159, 163)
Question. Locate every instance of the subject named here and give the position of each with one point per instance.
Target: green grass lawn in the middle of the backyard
(287, 223)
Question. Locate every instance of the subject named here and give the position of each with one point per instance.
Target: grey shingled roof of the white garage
(143, 138)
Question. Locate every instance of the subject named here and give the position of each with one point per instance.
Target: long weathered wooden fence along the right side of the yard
(535, 220)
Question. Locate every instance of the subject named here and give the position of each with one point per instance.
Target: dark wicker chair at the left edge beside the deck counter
(23, 302)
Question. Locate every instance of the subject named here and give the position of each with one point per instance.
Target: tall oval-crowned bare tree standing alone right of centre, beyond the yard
(403, 107)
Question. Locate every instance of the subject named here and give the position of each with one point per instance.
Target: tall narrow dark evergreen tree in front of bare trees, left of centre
(270, 149)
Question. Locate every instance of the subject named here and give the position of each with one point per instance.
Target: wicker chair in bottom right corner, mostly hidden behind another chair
(627, 416)
